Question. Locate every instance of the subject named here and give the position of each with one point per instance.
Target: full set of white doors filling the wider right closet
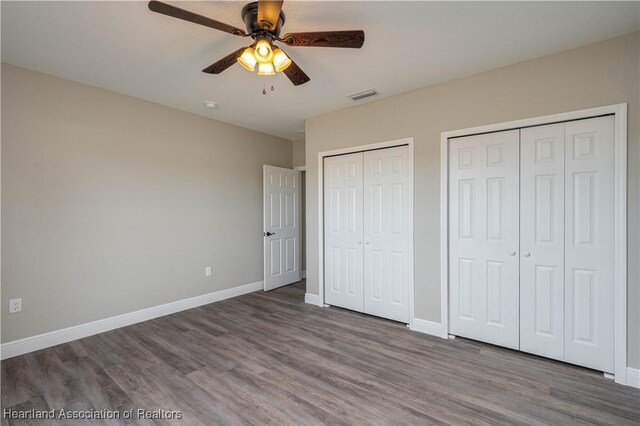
(531, 265)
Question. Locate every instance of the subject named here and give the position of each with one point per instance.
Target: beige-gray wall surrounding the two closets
(600, 74)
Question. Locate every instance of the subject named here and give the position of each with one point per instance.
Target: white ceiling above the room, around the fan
(123, 47)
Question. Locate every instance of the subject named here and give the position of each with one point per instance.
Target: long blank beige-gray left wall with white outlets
(111, 204)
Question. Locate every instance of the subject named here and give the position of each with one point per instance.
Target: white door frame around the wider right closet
(620, 172)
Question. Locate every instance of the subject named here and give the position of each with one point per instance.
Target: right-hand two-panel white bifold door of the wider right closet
(567, 241)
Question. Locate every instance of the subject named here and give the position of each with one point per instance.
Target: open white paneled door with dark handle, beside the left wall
(281, 189)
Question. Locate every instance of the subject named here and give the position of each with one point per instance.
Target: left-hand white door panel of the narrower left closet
(343, 231)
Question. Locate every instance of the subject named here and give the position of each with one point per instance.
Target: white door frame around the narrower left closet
(351, 150)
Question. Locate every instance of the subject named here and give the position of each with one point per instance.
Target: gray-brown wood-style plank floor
(268, 358)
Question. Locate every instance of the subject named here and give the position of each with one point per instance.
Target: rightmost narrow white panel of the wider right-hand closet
(589, 235)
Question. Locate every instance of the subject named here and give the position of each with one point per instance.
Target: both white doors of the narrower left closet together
(367, 244)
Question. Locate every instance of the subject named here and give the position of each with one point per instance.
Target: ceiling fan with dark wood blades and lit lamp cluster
(264, 20)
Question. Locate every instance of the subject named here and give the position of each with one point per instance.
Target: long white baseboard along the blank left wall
(45, 340)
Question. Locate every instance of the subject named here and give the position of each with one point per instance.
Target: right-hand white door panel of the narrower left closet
(387, 233)
